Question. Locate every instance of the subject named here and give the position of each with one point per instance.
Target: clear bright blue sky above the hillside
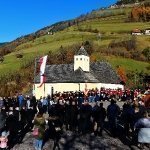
(21, 17)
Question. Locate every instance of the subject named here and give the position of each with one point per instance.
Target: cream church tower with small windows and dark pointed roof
(81, 59)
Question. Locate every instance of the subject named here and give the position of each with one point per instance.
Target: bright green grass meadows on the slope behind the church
(112, 28)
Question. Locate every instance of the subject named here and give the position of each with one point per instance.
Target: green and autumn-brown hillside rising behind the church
(106, 33)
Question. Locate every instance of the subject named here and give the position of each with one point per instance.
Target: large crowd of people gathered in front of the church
(78, 112)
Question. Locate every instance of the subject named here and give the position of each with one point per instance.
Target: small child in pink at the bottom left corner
(4, 140)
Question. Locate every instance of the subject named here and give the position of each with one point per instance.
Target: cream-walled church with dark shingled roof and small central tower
(77, 76)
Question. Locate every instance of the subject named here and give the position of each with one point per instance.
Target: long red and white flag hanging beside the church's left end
(42, 62)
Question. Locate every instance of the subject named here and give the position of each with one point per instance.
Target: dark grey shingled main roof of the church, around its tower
(100, 72)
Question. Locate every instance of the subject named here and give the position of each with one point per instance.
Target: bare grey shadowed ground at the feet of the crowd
(71, 141)
